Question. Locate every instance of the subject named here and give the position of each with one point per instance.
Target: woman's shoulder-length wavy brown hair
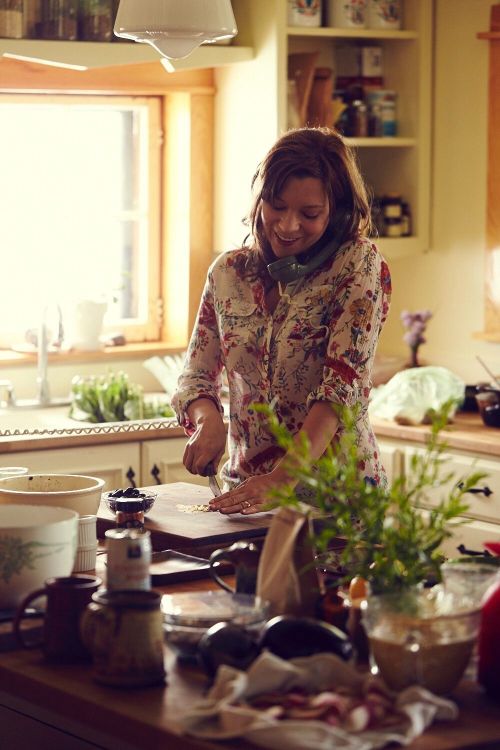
(309, 152)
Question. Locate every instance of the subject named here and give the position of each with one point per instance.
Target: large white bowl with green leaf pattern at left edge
(36, 543)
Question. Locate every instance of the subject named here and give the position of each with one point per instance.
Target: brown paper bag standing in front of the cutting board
(287, 576)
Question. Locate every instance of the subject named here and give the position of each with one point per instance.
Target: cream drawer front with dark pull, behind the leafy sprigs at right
(484, 500)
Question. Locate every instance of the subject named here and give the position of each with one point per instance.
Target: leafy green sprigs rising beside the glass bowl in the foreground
(391, 539)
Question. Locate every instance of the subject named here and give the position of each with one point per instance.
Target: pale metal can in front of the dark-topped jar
(129, 558)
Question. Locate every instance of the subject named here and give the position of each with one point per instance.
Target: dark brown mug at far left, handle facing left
(67, 598)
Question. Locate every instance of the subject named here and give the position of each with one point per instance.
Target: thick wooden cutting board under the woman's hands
(172, 527)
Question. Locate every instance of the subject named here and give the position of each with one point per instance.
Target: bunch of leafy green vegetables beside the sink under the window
(113, 398)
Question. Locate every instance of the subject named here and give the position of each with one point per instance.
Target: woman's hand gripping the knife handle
(207, 443)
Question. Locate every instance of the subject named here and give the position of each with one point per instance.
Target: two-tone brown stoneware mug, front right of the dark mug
(123, 629)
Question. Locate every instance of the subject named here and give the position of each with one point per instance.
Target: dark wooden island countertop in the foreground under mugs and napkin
(149, 717)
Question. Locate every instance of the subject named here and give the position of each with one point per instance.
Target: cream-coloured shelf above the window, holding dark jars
(84, 55)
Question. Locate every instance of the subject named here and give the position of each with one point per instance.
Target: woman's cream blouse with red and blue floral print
(317, 345)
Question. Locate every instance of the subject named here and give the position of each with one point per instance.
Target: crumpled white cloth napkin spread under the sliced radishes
(217, 718)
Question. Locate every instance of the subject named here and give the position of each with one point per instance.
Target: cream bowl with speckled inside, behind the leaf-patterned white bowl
(74, 491)
